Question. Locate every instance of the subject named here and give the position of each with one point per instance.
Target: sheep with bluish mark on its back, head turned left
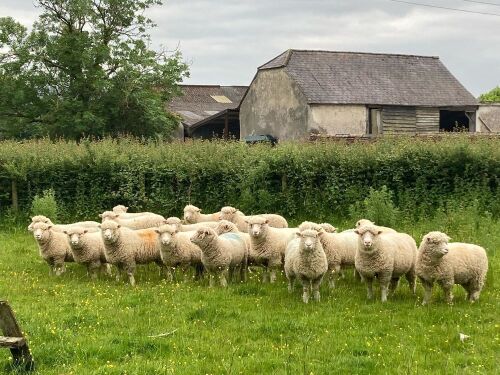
(221, 254)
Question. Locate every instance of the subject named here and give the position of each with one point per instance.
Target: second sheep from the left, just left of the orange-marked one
(88, 249)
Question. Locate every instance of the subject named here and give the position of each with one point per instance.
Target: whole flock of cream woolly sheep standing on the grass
(225, 244)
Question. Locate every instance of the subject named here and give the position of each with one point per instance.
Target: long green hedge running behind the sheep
(319, 180)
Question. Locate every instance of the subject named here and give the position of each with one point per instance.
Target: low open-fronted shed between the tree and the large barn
(208, 111)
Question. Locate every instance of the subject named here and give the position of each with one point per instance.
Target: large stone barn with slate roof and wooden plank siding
(302, 92)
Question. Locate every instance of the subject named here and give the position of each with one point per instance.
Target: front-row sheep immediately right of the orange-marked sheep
(178, 251)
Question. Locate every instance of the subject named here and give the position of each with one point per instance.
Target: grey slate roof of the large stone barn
(330, 77)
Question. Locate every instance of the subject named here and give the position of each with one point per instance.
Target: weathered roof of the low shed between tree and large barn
(199, 102)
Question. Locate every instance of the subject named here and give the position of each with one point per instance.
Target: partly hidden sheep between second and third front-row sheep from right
(340, 250)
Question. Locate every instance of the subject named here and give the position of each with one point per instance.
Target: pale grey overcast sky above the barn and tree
(225, 40)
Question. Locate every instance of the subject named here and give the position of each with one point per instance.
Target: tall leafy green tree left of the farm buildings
(86, 68)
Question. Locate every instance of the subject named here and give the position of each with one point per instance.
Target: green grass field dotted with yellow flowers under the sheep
(76, 326)
